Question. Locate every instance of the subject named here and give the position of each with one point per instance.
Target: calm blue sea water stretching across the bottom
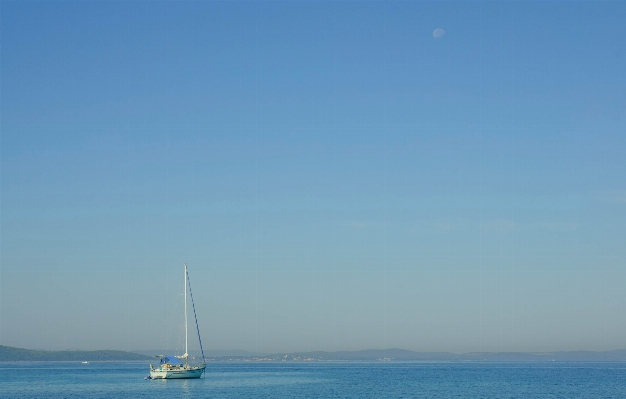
(319, 380)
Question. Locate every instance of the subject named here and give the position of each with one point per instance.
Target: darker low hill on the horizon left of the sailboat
(11, 354)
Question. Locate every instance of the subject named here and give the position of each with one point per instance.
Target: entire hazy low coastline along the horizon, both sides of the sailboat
(8, 353)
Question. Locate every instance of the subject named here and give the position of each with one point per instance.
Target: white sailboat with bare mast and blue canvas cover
(178, 366)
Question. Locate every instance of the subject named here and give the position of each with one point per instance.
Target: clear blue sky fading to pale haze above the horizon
(335, 175)
